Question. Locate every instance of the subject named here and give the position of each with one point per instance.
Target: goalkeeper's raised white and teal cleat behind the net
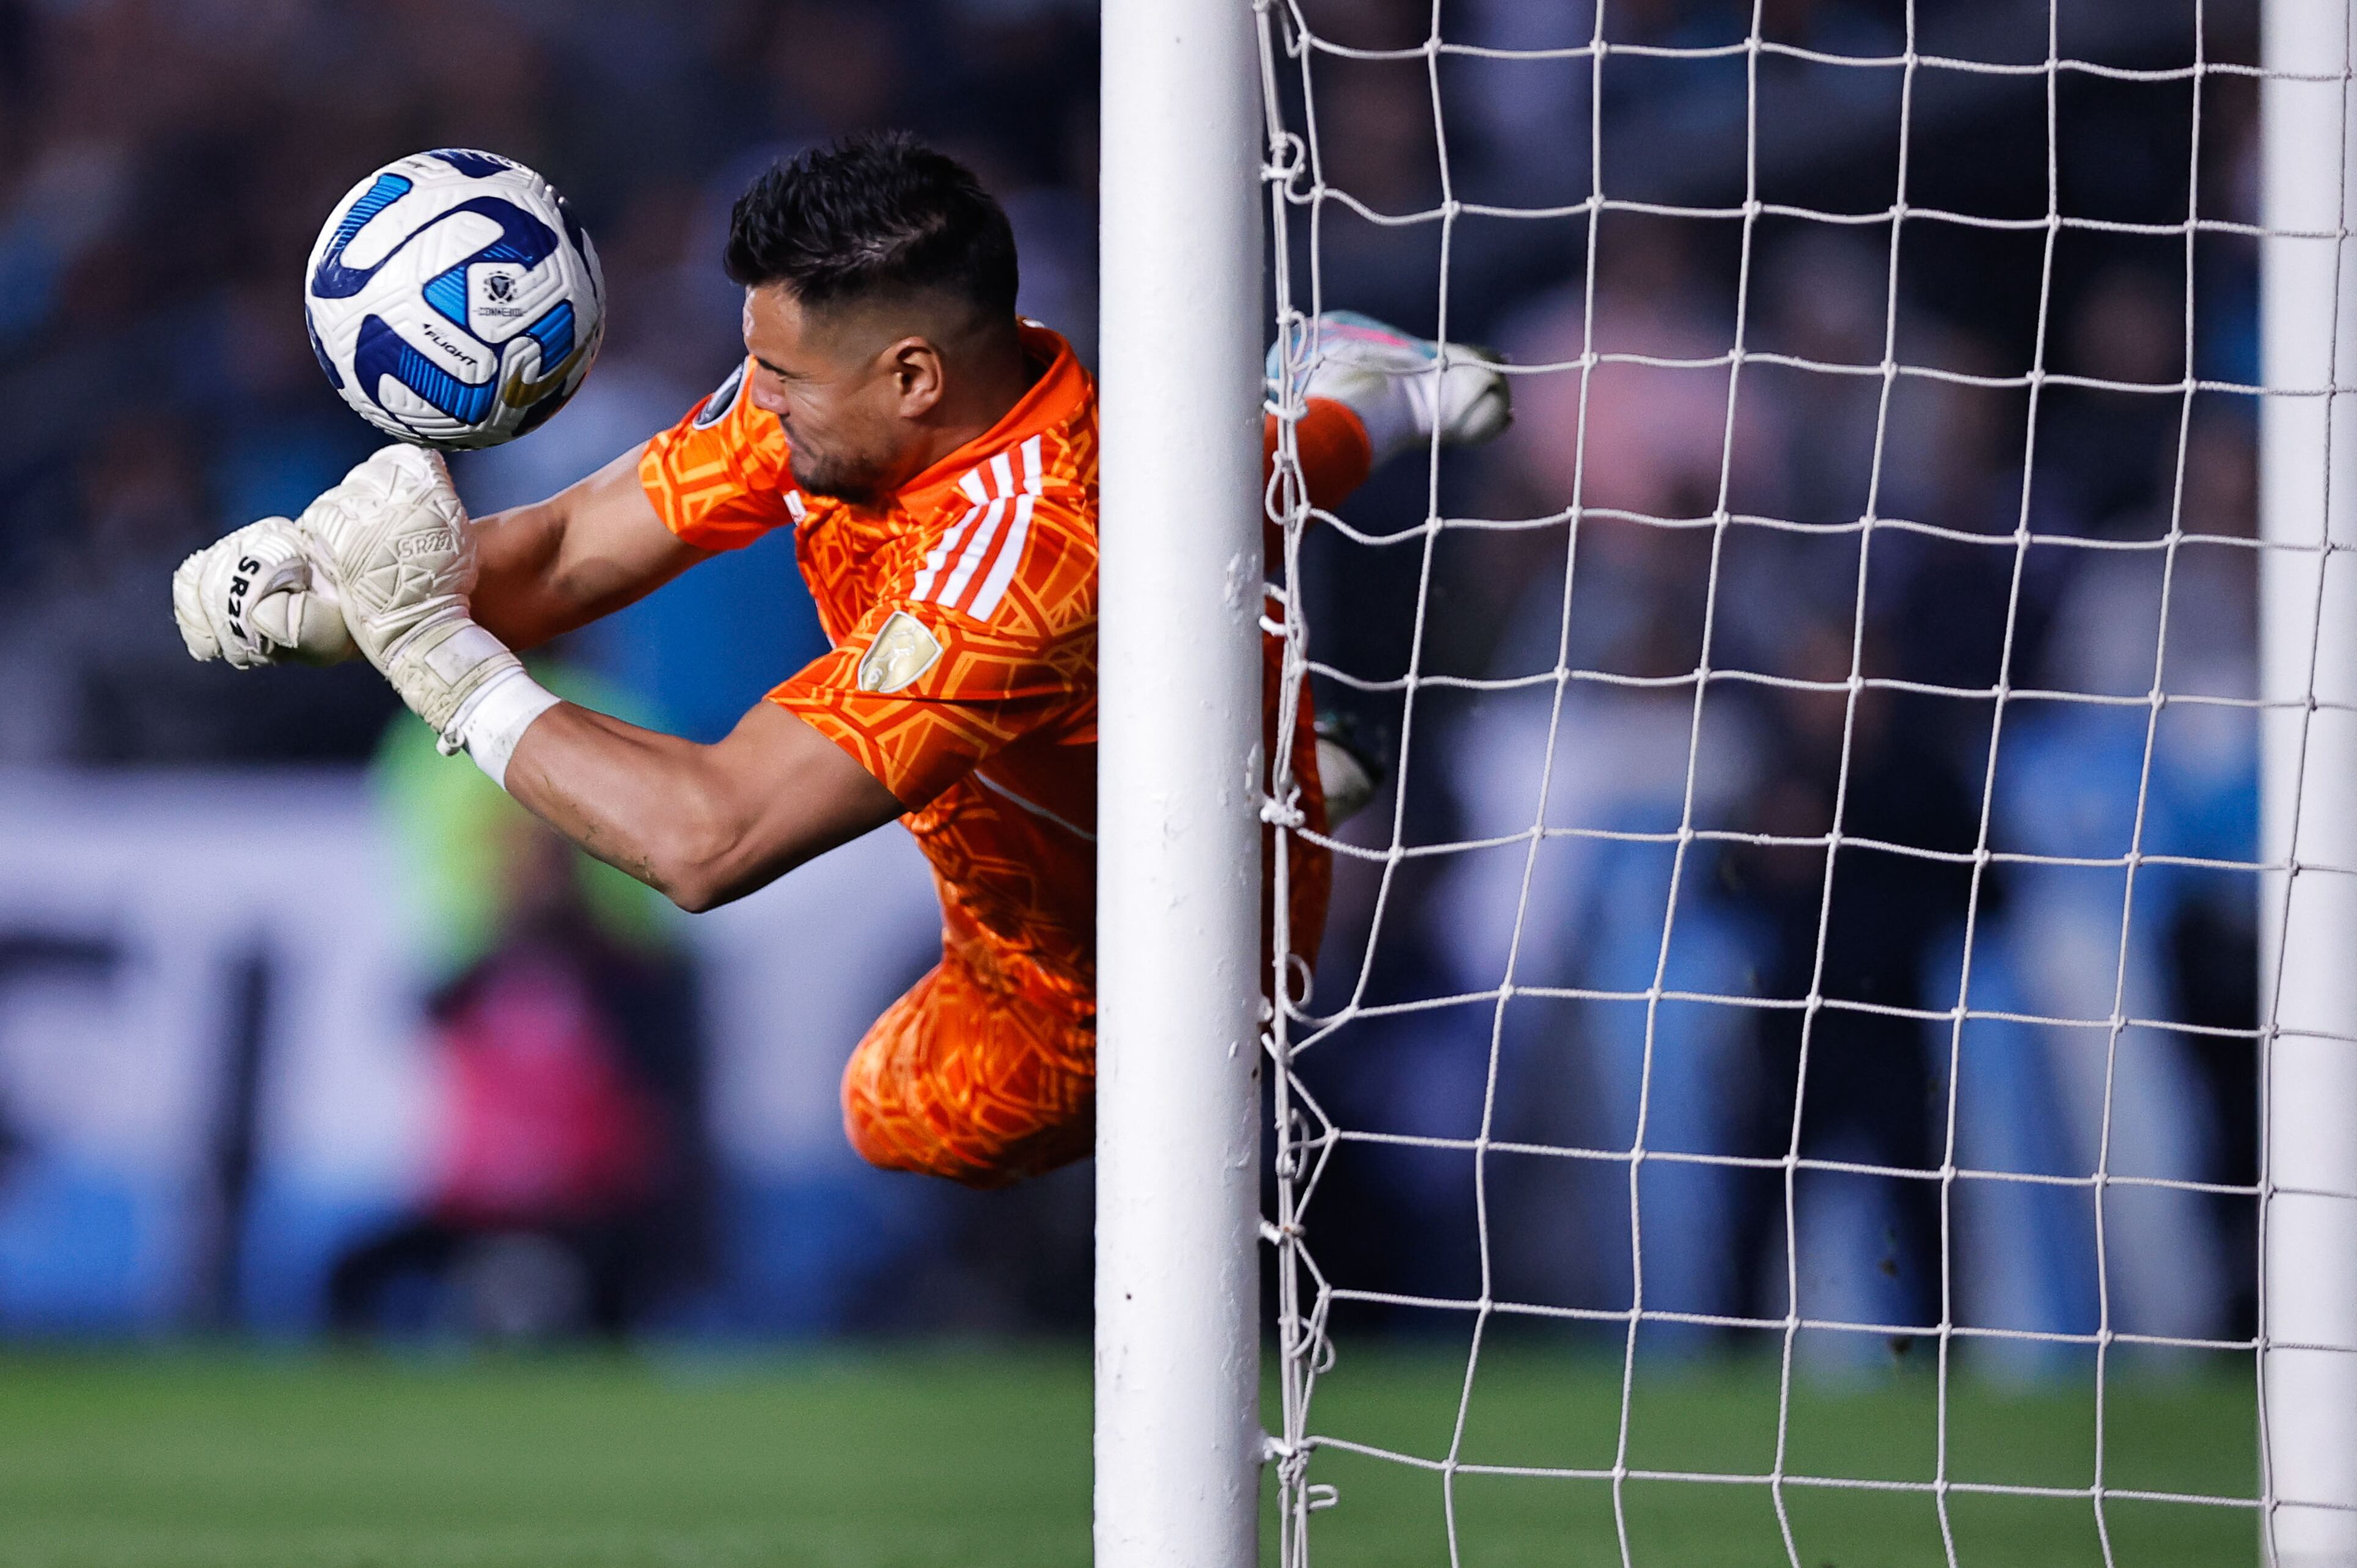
(1401, 388)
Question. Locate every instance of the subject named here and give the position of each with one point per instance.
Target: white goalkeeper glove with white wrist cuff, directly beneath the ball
(400, 551)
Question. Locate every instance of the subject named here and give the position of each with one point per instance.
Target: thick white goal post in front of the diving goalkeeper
(1180, 843)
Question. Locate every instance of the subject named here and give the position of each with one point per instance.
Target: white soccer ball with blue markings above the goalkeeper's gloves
(454, 301)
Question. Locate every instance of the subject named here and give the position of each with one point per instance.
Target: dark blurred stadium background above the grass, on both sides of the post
(414, 1069)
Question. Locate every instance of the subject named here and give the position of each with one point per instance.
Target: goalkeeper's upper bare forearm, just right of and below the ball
(586, 553)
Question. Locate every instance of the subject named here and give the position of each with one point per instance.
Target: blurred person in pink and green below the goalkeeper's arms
(572, 1192)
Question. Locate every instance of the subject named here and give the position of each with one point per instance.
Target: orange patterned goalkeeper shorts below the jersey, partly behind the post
(982, 1081)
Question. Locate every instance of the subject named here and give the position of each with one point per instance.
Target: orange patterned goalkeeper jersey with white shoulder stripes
(963, 676)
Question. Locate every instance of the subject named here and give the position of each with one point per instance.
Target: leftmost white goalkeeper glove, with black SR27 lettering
(256, 598)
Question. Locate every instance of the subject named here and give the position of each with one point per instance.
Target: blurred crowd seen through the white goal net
(2019, 541)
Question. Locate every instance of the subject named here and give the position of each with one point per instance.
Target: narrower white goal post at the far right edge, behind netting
(2309, 812)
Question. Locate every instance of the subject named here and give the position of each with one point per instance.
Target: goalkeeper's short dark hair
(873, 218)
